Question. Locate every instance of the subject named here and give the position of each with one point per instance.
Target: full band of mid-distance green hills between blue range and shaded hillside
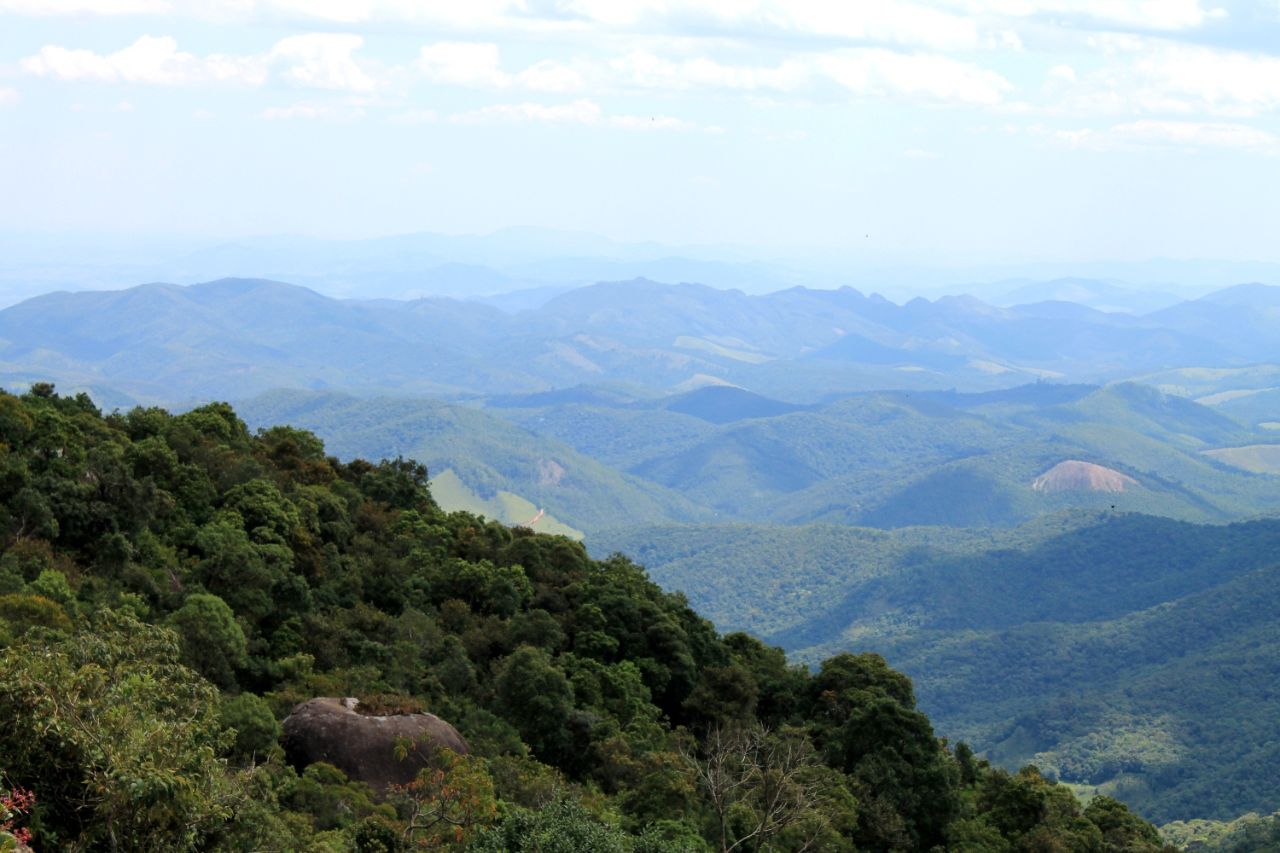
(600, 459)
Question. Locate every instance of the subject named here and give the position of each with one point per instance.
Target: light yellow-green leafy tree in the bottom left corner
(120, 741)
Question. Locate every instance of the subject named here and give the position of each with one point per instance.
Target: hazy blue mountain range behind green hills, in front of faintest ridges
(240, 337)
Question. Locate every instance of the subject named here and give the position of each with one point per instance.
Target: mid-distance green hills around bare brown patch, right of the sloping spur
(894, 460)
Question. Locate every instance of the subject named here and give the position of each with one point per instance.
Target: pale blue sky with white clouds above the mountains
(970, 131)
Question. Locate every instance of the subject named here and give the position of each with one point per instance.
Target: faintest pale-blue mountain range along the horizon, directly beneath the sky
(519, 266)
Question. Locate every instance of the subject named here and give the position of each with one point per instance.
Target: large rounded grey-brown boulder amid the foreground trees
(364, 746)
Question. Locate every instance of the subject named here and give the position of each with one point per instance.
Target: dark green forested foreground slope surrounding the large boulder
(171, 587)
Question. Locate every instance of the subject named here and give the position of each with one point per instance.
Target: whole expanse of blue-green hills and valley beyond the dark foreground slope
(947, 483)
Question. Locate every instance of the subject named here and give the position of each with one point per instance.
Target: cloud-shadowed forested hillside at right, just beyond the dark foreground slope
(1136, 655)
